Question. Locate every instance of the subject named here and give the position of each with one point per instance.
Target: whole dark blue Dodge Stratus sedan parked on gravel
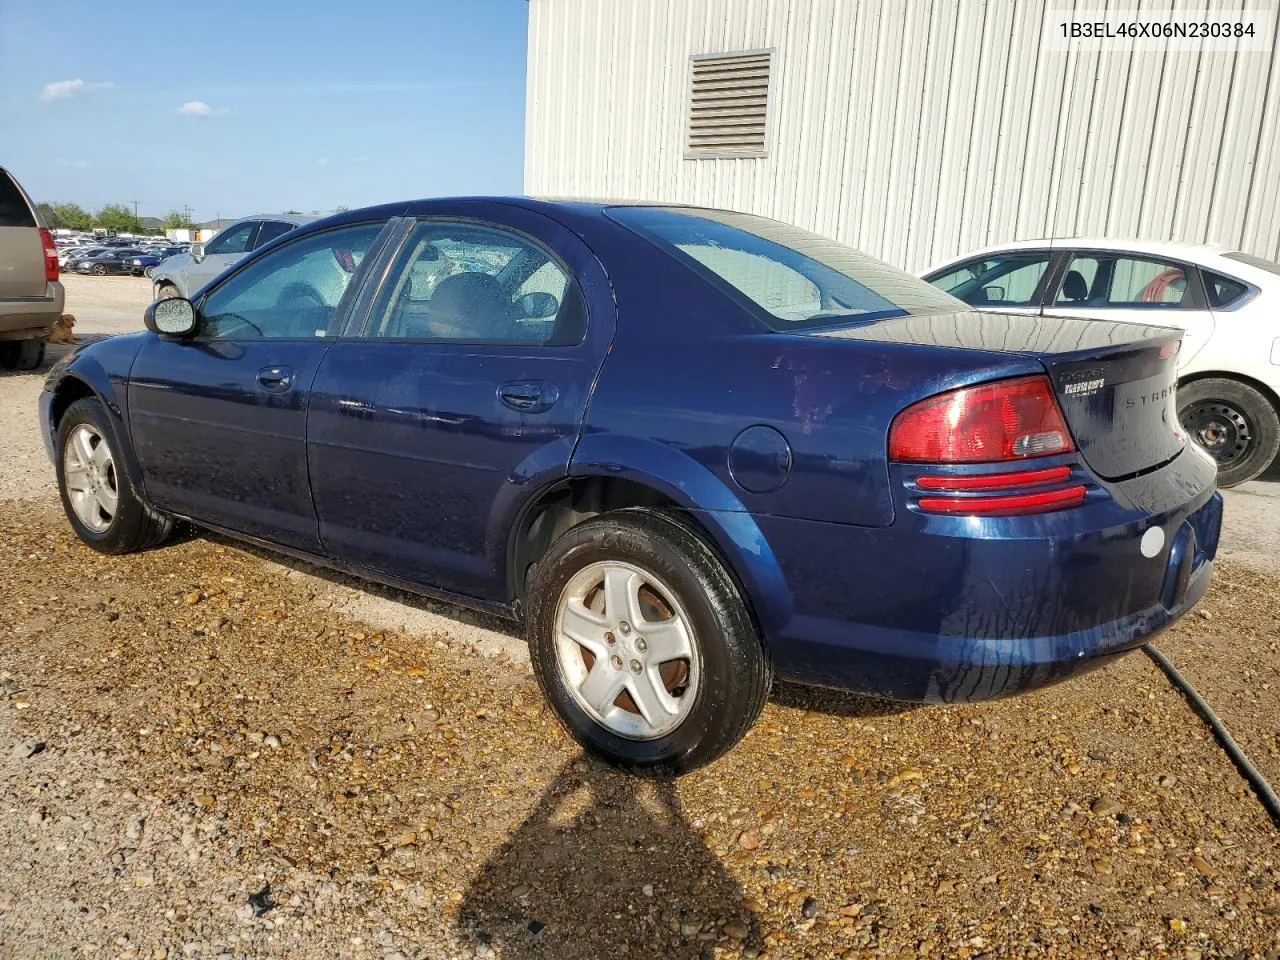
(689, 449)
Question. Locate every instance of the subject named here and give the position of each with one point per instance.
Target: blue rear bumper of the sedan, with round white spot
(954, 610)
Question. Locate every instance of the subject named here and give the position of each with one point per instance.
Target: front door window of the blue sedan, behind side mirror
(292, 292)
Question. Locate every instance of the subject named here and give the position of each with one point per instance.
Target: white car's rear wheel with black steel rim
(1233, 423)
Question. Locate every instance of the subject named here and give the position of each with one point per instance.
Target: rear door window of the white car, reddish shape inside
(1122, 282)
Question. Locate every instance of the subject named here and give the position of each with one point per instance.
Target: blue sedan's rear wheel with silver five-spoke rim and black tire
(643, 644)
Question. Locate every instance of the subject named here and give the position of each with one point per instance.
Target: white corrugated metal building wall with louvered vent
(915, 130)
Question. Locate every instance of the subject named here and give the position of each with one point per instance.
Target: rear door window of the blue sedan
(472, 284)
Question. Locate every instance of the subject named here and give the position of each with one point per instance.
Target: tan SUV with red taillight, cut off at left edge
(31, 296)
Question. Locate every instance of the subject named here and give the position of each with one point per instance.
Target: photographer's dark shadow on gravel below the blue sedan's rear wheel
(606, 867)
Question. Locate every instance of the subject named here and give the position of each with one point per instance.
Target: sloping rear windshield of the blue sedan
(789, 277)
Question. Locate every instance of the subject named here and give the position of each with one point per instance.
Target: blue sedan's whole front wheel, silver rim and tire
(100, 501)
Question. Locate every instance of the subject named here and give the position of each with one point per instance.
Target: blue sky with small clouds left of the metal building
(236, 108)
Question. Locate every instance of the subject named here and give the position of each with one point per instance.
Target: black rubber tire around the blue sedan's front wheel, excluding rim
(136, 525)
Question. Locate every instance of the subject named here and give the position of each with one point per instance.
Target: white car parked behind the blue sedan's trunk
(1228, 304)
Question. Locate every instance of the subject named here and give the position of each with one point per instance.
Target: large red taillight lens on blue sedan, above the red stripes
(985, 424)
